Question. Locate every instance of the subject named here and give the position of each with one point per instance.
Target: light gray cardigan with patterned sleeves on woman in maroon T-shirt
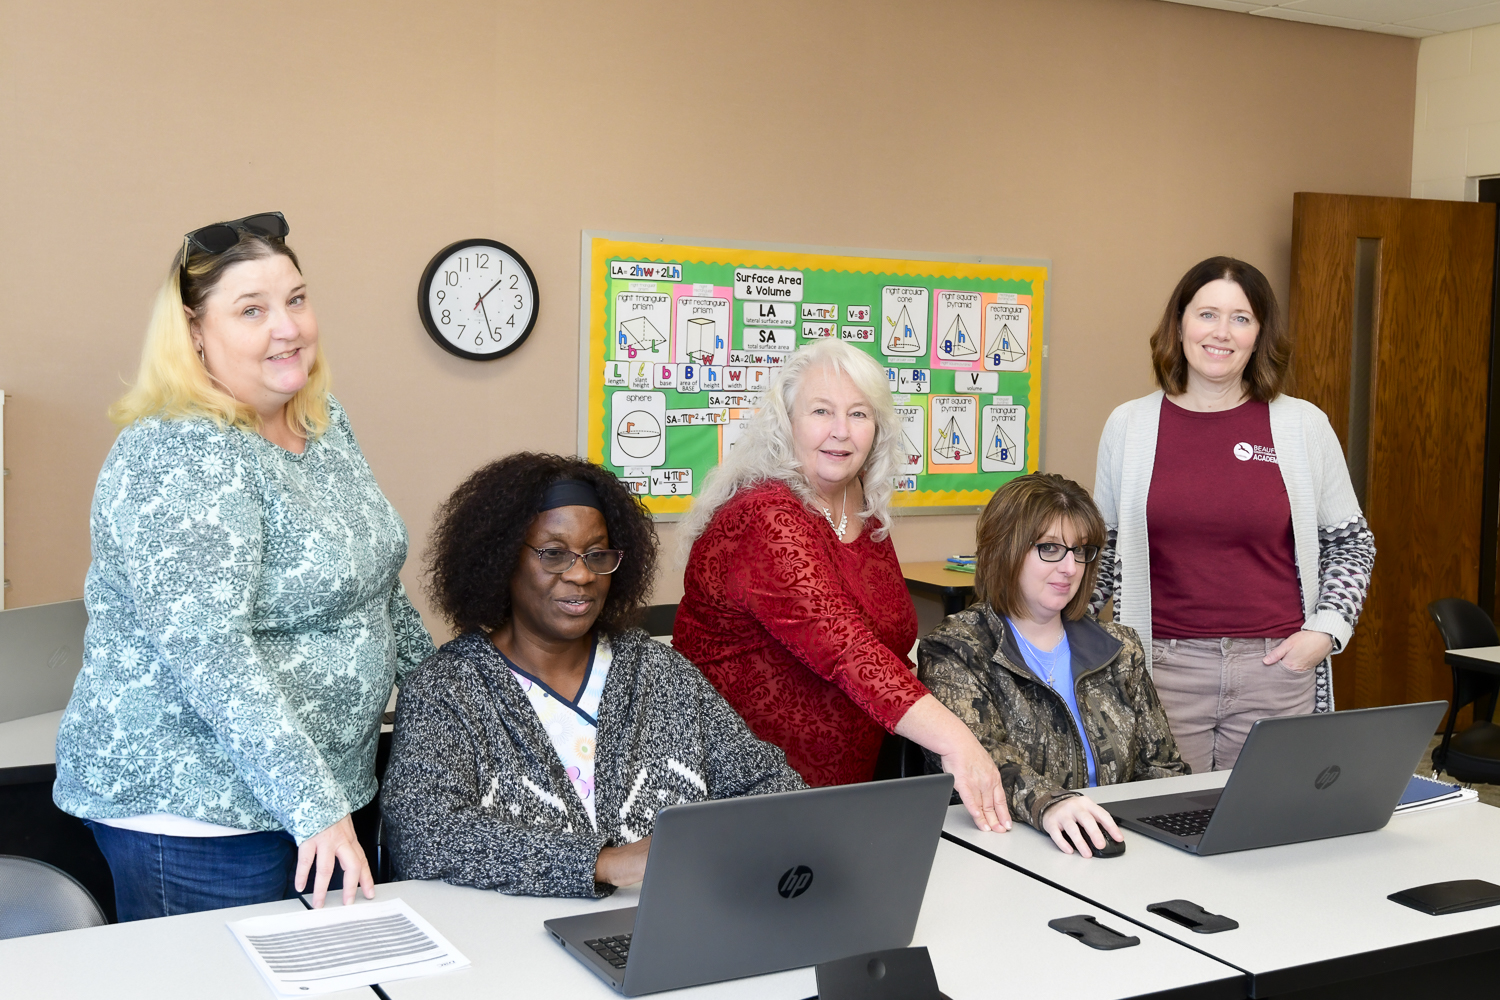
(1334, 546)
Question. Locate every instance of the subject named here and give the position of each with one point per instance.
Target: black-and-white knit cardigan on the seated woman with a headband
(476, 794)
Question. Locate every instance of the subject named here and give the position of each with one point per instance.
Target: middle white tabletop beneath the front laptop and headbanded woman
(983, 924)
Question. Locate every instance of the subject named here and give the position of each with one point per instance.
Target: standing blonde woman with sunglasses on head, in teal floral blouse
(245, 617)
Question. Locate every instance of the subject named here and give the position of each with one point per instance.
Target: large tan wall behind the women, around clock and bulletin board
(1121, 139)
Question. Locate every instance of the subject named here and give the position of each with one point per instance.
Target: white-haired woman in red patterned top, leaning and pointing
(794, 603)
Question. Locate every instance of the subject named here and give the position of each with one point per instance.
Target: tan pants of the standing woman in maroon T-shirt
(1214, 690)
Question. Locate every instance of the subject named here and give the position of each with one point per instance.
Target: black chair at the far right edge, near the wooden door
(1475, 753)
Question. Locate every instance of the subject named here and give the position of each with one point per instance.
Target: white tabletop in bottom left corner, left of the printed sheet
(191, 956)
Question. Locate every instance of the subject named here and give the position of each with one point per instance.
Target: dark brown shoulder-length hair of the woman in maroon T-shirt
(1268, 365)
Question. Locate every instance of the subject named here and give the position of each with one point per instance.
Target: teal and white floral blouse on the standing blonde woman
(245, 629)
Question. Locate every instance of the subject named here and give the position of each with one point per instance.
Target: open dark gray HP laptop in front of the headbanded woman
(769, 882)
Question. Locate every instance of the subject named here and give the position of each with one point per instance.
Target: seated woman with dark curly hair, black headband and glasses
(533, 752)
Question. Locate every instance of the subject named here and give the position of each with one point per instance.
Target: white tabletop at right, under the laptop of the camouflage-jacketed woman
(1310, 915)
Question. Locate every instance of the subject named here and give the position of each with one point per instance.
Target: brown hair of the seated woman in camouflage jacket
(1015, 521)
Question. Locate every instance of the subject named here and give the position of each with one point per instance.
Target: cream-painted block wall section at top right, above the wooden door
(1457, 131)
